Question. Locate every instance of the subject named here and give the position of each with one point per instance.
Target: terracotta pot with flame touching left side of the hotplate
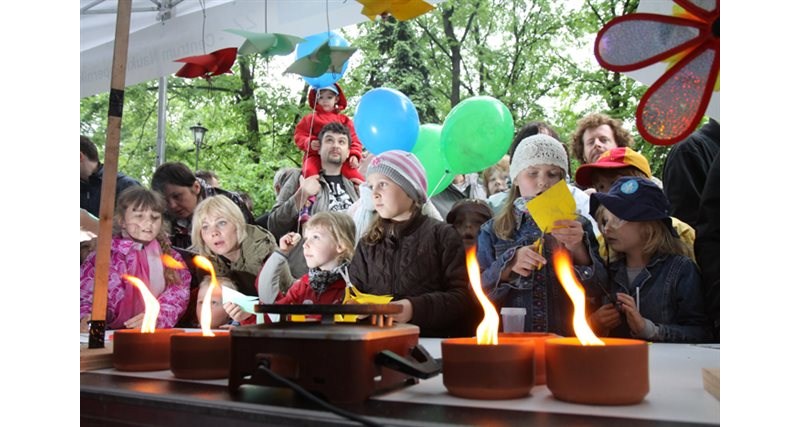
(194, 356)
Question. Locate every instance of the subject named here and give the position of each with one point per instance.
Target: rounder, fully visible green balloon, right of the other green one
(476, 134)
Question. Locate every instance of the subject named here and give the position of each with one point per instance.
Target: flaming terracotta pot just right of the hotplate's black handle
(488, 372)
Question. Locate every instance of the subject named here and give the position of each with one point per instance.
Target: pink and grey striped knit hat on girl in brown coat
(405, 170)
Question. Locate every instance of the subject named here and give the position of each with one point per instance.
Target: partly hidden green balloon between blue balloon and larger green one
(428, 150)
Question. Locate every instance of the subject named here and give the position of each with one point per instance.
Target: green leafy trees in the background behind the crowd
(526, 53)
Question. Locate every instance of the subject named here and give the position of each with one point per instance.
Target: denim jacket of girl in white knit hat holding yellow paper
(548, 307)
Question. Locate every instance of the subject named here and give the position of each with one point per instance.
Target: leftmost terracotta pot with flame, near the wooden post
(136, 351)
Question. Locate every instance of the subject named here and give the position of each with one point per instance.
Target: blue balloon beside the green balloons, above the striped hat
(386, 119)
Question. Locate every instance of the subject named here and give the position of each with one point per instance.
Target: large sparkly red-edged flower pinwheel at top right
(673, 106)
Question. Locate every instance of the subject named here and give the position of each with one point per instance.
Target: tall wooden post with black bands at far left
(108, 191)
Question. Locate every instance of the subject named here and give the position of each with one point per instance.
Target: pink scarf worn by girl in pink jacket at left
(148, 268)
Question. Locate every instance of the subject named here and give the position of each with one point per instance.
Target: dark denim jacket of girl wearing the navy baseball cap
(670, 296)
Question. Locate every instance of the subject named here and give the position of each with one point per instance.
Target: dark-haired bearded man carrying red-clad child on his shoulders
(305, 197)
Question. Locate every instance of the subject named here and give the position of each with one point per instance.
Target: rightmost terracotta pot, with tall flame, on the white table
(614, 374)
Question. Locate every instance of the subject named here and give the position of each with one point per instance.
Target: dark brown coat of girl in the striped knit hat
(422, 260)
